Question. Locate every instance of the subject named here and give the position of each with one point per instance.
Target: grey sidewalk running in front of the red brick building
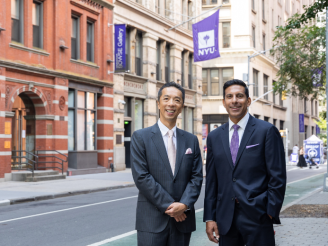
(16, 192)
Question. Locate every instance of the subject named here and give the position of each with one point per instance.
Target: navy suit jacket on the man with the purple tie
(258, 179)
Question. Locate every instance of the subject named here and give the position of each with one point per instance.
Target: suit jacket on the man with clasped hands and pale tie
(158, 187)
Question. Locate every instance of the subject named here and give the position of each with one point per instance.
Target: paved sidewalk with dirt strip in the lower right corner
(297, 228)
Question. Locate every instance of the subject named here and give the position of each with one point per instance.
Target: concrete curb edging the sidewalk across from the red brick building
(63, 194)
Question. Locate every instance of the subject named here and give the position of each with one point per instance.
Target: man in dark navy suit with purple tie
(245, 175)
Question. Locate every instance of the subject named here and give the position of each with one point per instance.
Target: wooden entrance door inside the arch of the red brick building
(23, 128)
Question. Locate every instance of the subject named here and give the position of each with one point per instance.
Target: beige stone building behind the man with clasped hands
(154, 56)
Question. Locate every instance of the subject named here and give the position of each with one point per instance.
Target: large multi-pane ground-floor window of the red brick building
(81, 120)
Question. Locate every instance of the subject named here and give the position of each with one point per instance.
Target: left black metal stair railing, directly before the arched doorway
(23, 162)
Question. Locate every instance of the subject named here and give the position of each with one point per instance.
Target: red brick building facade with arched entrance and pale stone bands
(56, 88)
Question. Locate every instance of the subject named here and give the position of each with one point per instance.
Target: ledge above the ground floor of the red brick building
(53, 73)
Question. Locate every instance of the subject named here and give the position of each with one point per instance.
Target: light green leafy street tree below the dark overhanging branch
(301, 57)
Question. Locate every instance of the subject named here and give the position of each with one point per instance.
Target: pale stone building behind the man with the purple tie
(247, 27)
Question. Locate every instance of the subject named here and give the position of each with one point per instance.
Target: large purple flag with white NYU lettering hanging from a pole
(206, 38)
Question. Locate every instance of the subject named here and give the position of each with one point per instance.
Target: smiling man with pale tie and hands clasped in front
(167, 170)
